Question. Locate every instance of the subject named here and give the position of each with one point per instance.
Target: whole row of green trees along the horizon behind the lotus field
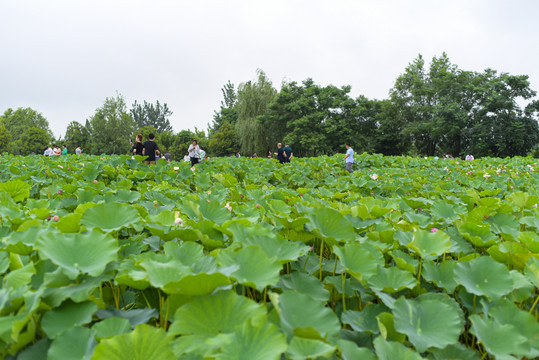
(432, 109)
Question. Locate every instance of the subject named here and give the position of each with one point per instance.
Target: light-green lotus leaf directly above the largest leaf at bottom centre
(256, 269)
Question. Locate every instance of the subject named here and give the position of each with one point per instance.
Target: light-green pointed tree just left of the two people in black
(111, 127)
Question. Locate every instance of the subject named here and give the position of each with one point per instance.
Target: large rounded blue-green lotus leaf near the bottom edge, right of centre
(430, 320)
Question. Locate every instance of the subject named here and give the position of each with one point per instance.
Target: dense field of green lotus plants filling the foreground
(108, 259)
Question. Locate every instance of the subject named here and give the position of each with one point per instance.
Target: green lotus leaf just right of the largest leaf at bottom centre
(301, 316)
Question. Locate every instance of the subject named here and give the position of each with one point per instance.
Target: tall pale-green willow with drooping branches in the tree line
(253, 101)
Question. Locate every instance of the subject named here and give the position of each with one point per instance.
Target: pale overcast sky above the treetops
(63, 58)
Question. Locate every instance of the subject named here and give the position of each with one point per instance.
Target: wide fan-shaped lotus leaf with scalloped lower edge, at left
(78, 253)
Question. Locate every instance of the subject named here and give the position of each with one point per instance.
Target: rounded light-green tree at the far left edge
(19, 121)
